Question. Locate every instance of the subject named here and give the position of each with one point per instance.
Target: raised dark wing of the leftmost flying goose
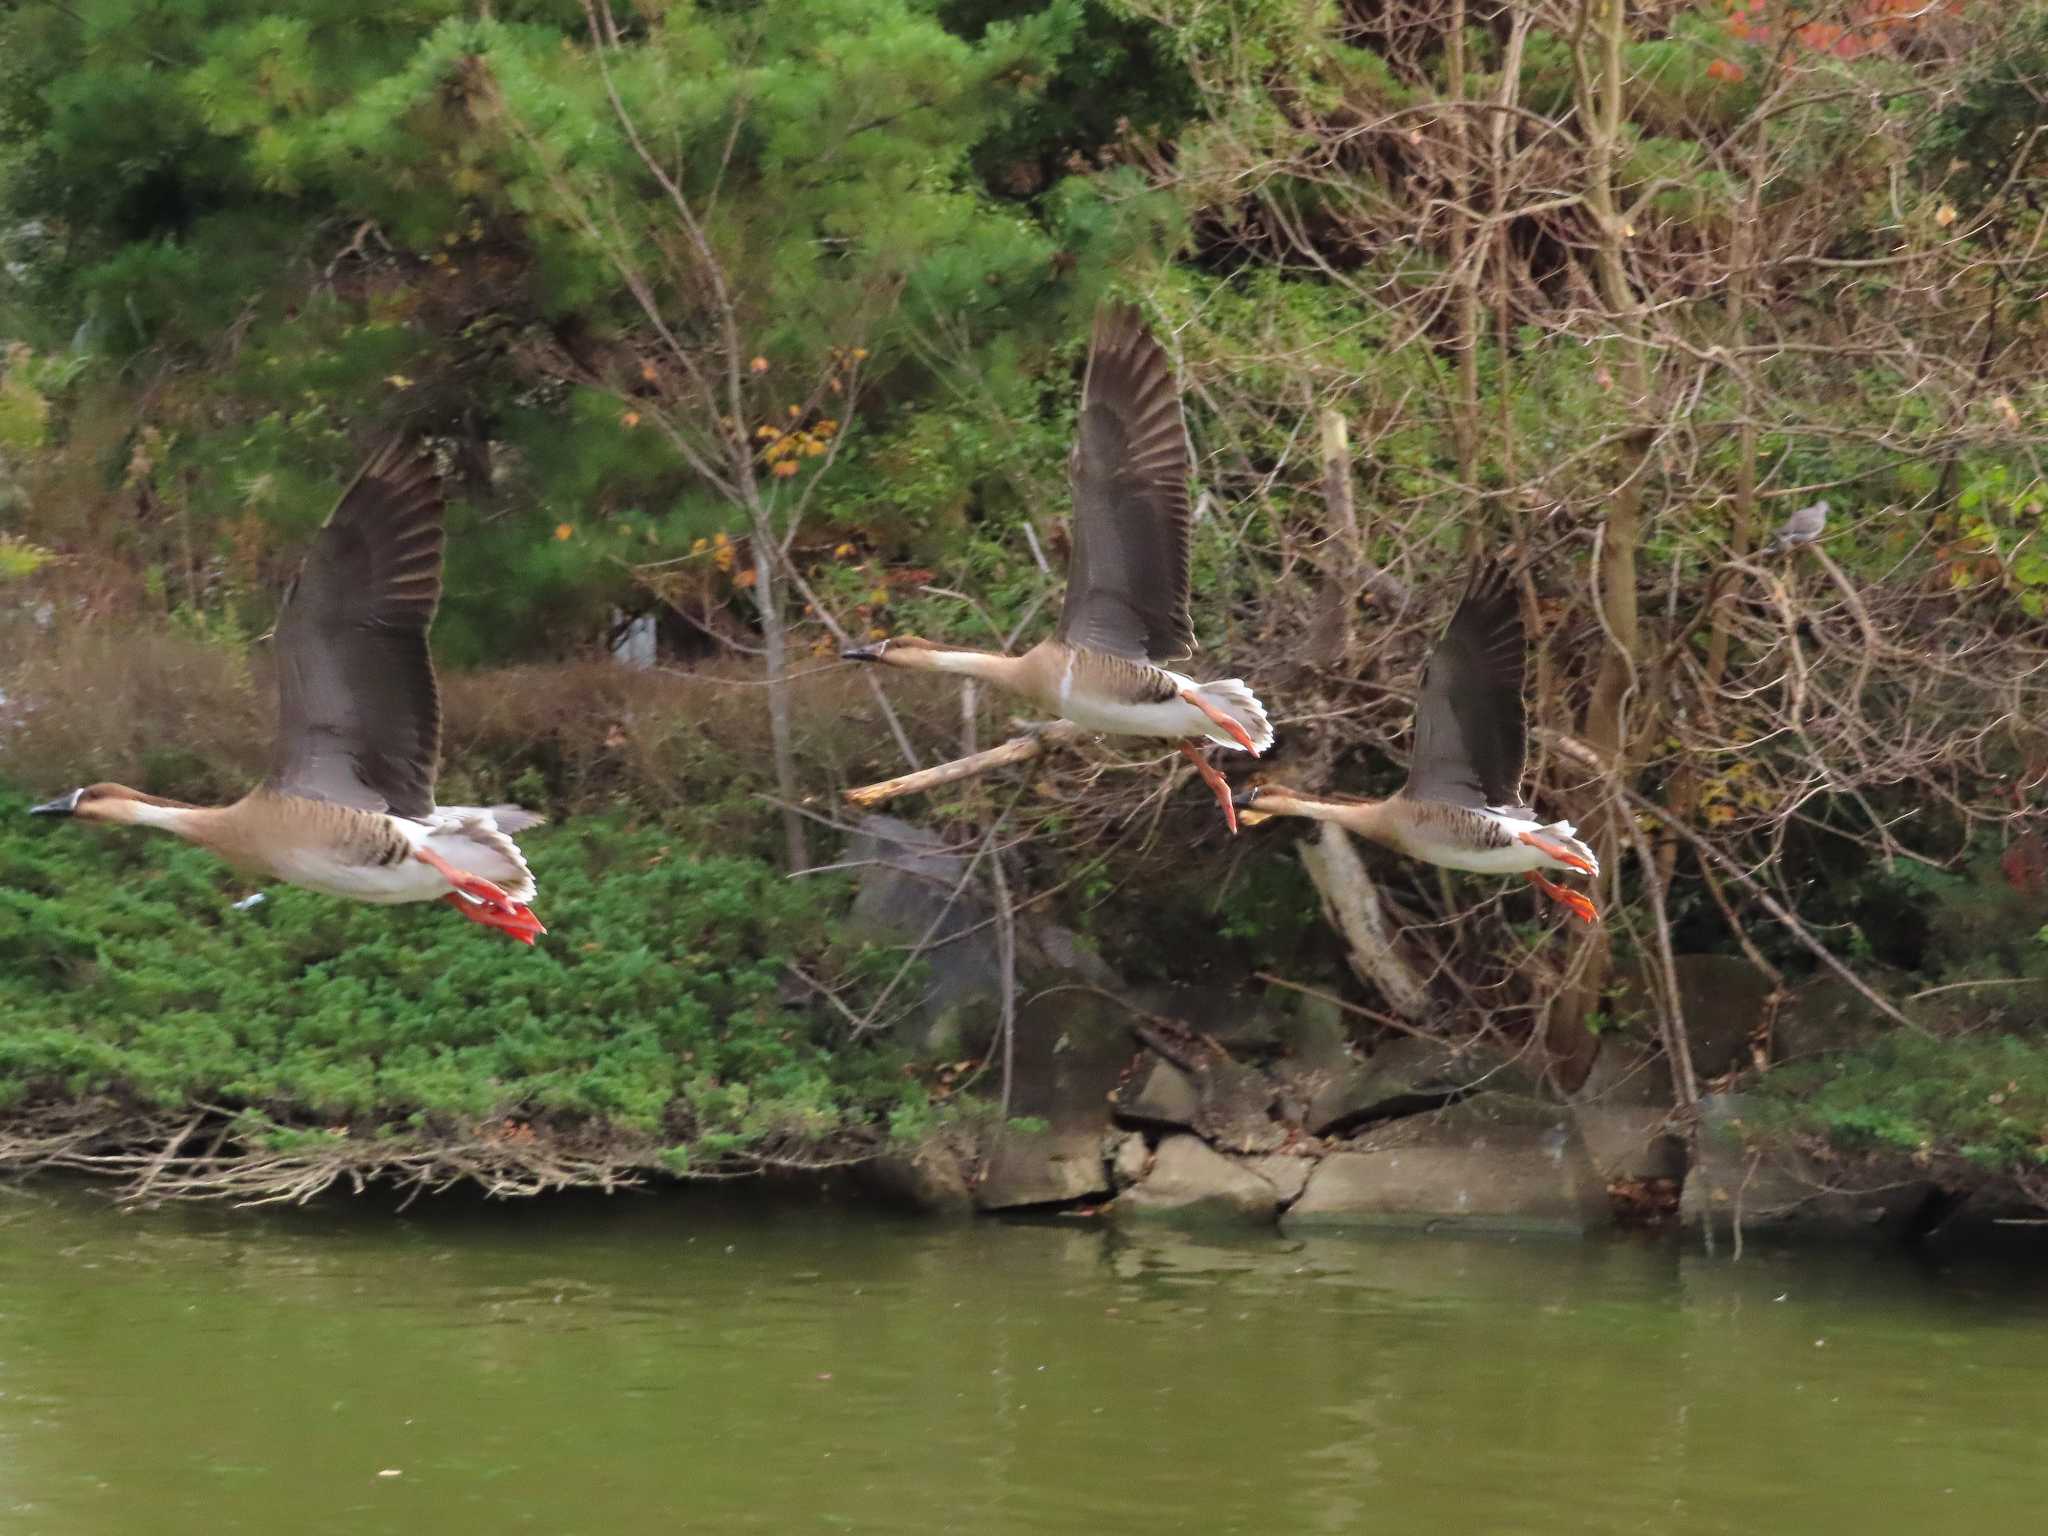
(359, 716)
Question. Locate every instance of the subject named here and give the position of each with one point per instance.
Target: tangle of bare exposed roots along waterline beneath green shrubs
(214, 1156)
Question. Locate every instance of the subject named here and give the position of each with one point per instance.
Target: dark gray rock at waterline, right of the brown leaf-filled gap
(1775, 1187)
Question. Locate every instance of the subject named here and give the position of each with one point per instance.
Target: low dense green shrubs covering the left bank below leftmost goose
(660, 1011)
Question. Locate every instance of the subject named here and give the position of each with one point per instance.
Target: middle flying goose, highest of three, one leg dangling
(1125, 620)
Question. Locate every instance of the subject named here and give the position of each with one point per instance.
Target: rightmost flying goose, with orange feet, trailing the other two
(1463, 806)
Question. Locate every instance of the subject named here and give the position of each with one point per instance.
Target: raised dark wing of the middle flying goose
(1127, 581)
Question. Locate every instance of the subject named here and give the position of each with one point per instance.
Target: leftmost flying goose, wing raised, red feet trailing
(349, 804)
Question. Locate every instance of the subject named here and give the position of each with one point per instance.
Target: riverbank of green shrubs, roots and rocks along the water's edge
(701, 1025)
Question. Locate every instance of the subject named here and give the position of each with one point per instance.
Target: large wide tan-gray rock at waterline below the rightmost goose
(1492, 1164)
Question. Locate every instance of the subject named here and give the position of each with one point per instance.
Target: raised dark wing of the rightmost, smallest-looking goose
(1471, 740)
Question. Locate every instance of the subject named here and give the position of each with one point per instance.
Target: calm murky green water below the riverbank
(658, 1365)
